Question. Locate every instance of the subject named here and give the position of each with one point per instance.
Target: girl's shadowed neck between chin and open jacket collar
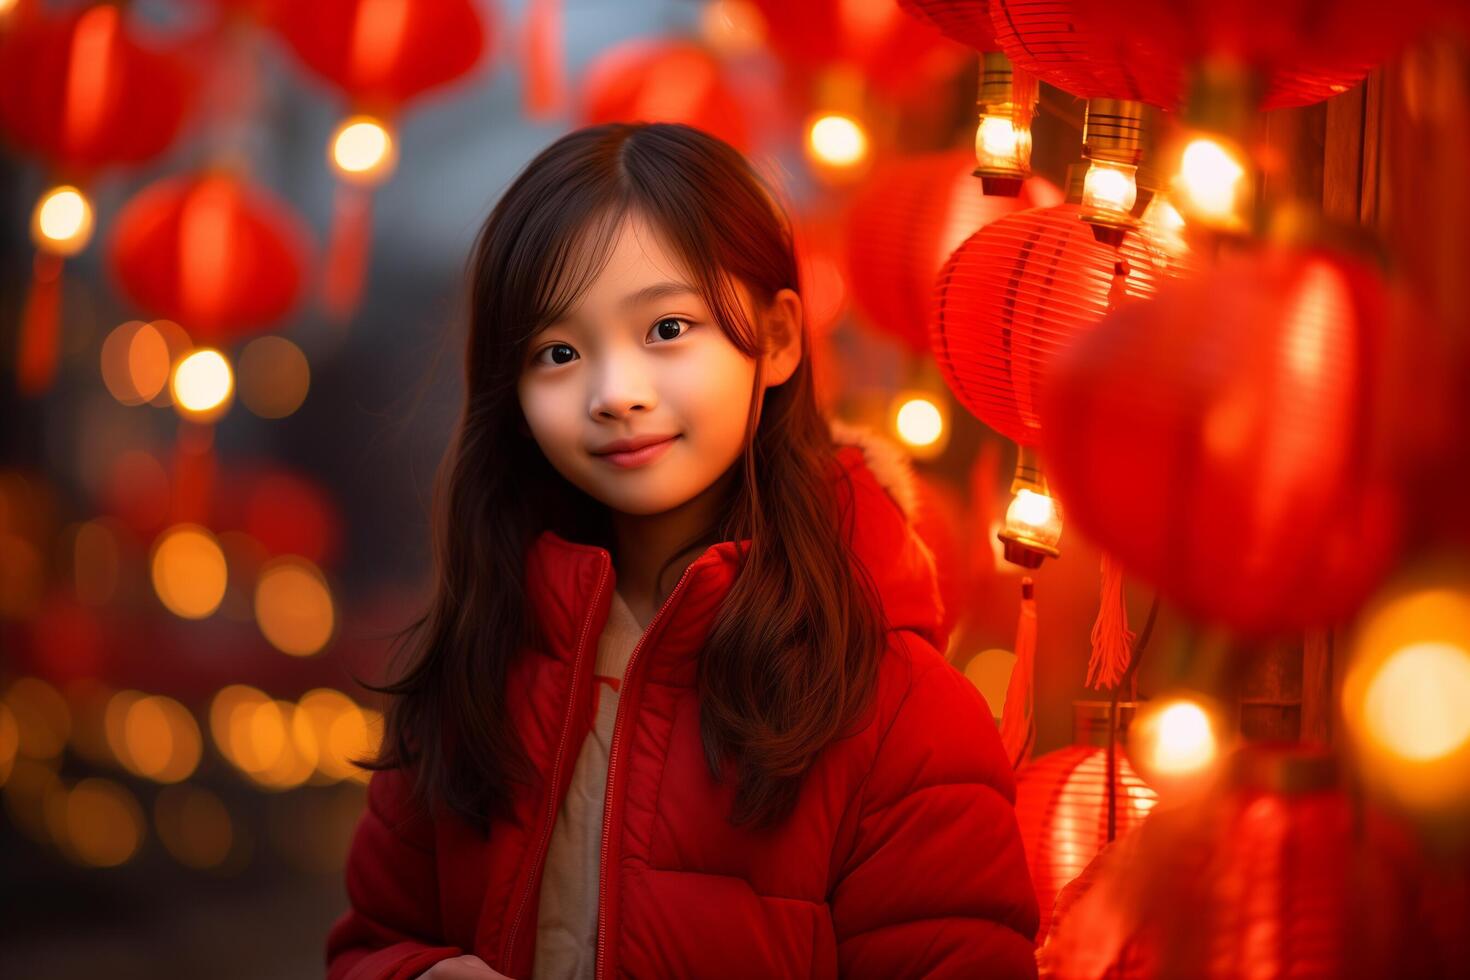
(645, 544)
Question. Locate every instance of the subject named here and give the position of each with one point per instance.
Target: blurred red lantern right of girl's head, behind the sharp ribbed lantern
(909, 217)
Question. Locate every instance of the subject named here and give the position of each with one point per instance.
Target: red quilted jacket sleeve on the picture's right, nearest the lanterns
(936, 882)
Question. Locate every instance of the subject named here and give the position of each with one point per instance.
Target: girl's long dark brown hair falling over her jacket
(792, 659)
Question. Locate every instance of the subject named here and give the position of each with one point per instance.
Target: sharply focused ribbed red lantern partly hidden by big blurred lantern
(1017, 295)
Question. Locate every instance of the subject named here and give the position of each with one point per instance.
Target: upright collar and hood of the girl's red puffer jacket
(570, 584)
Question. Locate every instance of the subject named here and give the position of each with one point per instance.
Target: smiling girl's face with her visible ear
(637, 396)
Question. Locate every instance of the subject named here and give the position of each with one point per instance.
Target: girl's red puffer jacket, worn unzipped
(902, 857)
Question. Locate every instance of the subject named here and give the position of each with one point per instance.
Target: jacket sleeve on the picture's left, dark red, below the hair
(392, 929)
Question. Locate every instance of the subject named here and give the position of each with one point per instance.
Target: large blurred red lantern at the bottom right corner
(1278, 875)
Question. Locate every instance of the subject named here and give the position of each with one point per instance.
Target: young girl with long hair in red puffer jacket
(677, 709)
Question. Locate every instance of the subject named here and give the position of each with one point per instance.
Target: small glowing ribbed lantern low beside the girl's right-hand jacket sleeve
(1062, 810)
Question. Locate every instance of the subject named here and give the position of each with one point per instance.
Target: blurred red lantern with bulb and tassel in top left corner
(83, 93)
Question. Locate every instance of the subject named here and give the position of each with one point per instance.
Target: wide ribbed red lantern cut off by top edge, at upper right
(1144, 49)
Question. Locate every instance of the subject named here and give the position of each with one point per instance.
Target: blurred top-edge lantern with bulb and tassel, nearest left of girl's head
(380, 55)
